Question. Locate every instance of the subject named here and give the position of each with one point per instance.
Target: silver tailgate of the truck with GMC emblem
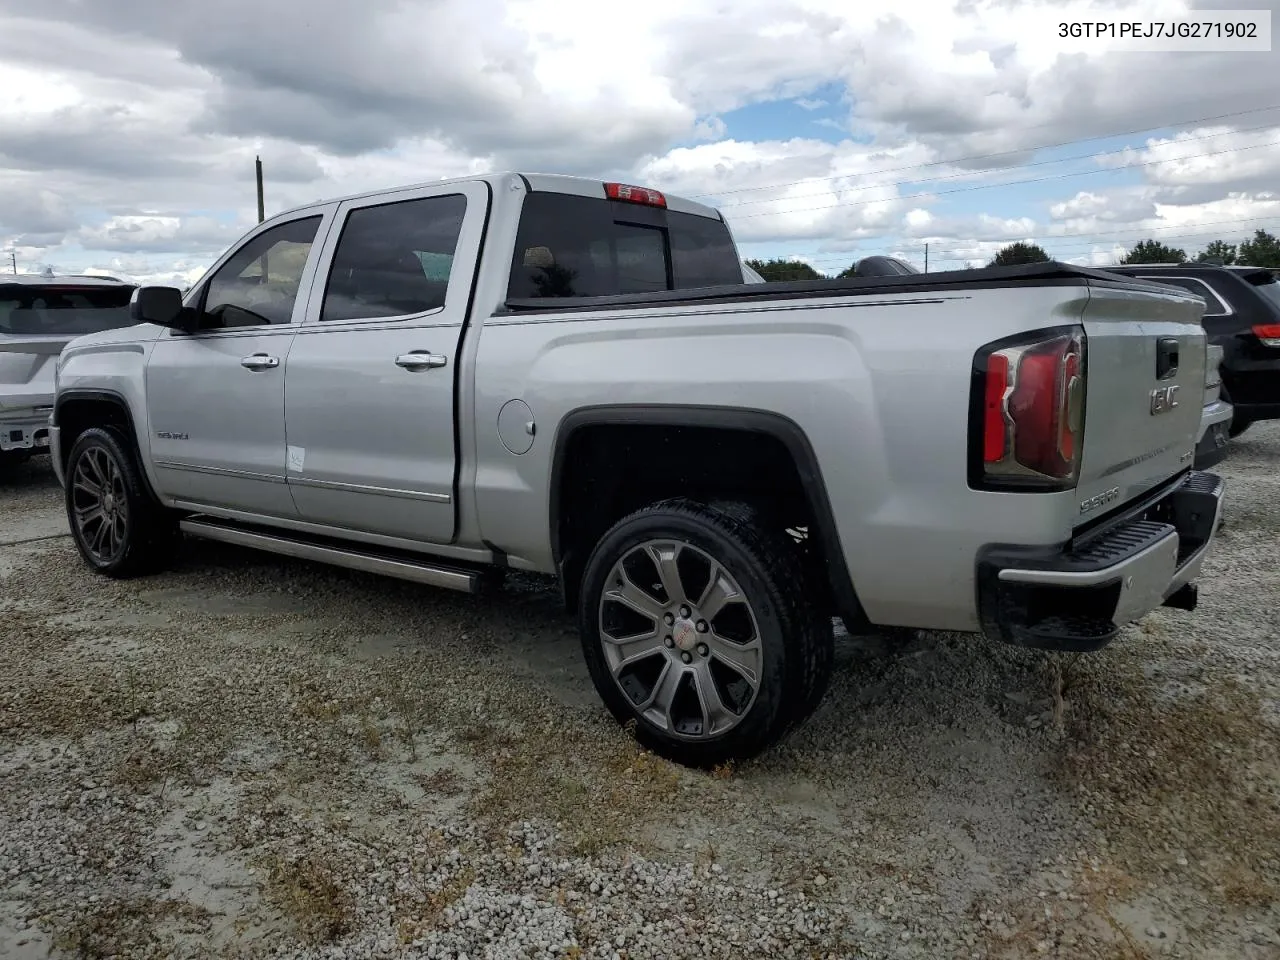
(1145, 392)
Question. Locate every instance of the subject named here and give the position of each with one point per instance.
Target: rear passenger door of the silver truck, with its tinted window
(371, 387)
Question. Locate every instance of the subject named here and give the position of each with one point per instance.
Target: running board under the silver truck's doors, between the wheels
(405, 568)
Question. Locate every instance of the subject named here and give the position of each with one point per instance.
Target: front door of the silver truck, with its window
(216, 397)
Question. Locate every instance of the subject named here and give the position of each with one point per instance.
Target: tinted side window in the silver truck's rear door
(395, 259)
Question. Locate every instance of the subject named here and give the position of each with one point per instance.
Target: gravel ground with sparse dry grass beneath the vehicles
(254, 757)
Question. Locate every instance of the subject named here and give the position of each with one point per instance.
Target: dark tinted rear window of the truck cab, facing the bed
(570, 246)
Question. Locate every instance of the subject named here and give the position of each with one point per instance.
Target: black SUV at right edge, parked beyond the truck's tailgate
(1244, 317)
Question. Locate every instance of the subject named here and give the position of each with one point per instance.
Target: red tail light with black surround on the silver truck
(1028, 413)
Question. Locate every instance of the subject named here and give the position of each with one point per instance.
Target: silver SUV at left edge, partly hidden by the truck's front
(39, 317)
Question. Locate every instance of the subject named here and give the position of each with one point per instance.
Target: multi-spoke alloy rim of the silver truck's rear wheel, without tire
(680, 639)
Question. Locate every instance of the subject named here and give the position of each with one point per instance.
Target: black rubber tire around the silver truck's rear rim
(794, 643)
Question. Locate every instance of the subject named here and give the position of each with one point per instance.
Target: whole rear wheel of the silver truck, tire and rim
(697, 627)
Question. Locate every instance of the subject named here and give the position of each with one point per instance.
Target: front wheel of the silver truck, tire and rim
(134, 534)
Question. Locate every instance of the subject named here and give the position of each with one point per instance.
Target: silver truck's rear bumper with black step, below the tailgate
(1078, 596)
